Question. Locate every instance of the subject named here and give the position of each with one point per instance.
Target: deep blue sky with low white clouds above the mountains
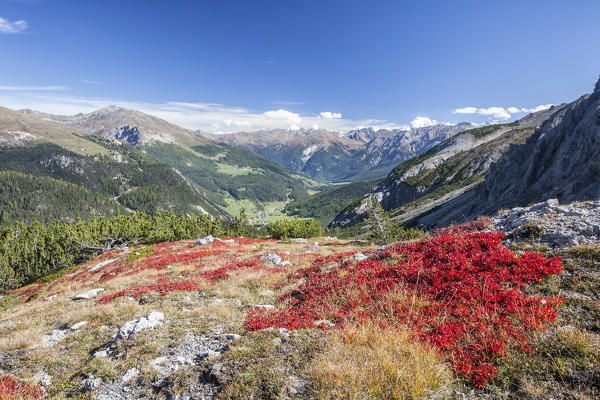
(245, 65)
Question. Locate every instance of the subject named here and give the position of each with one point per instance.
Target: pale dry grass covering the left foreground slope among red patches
(23, 320)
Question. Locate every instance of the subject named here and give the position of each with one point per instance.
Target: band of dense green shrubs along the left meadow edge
(29, 252)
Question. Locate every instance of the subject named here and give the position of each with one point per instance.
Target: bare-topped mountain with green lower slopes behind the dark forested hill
(227, 176)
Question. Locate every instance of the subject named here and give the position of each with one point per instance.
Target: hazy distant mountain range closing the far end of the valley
(330, 156)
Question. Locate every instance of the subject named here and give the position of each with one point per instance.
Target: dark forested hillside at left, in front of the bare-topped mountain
(45, 182)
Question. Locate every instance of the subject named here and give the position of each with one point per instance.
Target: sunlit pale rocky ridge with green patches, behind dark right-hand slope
(418, 185)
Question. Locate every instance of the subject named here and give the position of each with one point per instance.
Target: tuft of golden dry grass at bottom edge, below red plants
(368, 362)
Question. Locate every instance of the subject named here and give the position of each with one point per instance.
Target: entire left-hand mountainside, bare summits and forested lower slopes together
(128, 160)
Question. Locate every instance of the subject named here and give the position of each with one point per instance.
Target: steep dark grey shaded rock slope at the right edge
(560, 160)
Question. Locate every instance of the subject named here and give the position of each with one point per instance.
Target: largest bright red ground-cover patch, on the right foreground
(460, 293)
